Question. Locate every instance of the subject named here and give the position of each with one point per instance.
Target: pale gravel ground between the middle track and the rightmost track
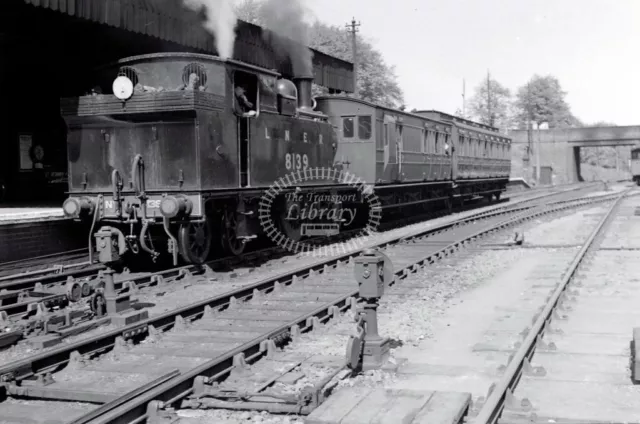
(414, 311)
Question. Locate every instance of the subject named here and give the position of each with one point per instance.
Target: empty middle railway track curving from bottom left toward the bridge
(168, 358)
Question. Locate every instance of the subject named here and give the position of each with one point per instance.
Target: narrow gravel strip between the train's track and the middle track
(167, 297)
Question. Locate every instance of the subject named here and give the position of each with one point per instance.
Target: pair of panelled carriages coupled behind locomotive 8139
(418, 158)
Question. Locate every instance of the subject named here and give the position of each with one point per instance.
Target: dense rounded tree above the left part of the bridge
(542, 101)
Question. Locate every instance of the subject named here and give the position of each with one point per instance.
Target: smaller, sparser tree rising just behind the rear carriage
(490, 104)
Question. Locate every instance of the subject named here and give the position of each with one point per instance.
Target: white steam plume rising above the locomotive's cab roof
(221, 22)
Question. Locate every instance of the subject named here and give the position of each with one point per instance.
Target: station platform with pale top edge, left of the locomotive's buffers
(30, 231)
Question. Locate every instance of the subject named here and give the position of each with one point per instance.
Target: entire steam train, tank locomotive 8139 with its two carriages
(164, 162)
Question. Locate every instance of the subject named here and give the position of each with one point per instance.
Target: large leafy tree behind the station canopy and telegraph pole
(377, 81)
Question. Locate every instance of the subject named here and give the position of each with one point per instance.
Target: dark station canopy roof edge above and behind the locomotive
(170, 21)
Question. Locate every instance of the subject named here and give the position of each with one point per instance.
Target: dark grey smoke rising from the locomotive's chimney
(285, 19)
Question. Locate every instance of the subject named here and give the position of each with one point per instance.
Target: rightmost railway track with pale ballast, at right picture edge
(573, 363)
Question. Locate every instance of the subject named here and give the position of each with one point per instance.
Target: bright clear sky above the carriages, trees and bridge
(591, 46)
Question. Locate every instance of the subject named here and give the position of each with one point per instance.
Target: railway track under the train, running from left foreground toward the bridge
(69, 310)
